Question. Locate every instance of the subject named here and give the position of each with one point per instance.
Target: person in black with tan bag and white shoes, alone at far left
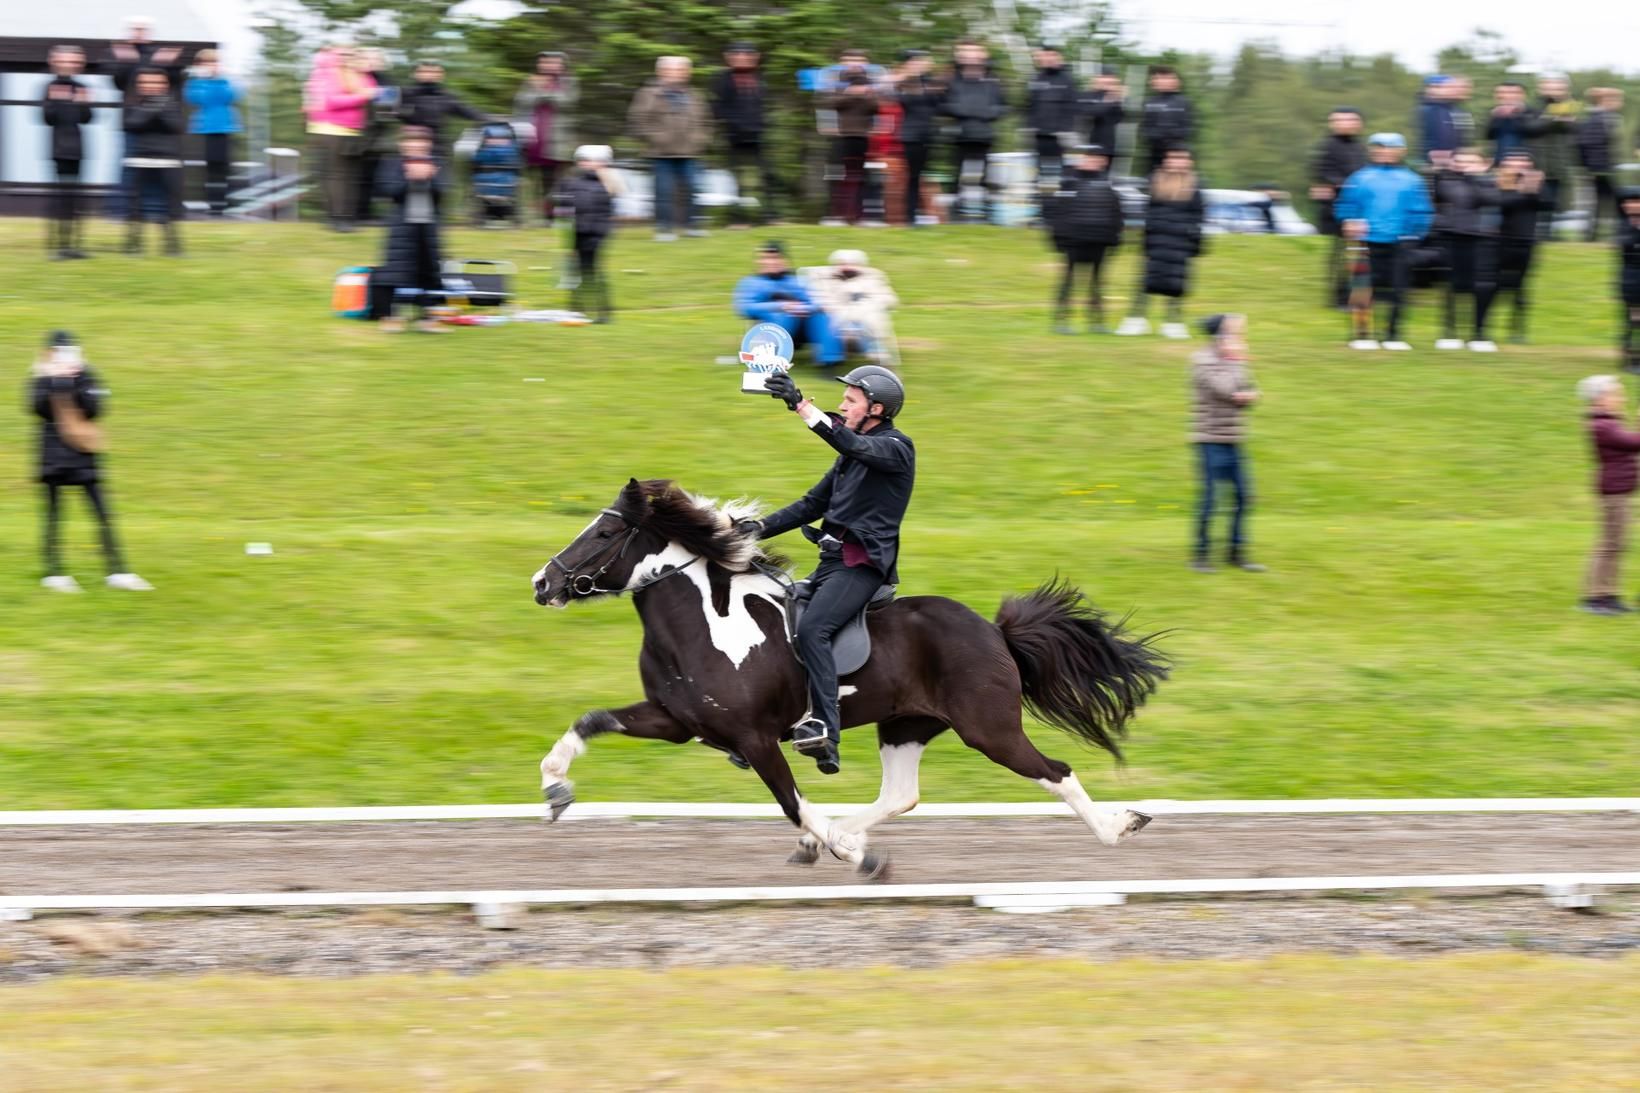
(65, 395)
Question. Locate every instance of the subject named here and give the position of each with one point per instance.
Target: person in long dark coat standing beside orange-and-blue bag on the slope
(414, 183)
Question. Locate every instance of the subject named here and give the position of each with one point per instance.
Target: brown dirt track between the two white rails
(621, 854)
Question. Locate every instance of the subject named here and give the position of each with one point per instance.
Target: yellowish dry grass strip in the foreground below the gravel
(1293, 1023)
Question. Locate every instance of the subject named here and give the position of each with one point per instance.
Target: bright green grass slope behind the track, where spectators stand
(1426, 519)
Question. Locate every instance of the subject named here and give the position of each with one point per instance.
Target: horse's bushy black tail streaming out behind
(1078, 670)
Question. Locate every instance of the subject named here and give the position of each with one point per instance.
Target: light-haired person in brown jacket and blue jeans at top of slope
(675, 126)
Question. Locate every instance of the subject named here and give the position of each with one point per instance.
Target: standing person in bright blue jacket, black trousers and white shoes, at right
(1388, 206)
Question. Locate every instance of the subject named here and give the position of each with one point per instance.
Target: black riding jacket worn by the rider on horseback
(863, 498)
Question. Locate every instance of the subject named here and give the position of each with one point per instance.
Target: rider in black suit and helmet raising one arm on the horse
(860, 505)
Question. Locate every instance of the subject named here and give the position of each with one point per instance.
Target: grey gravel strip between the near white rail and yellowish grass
(340, 944)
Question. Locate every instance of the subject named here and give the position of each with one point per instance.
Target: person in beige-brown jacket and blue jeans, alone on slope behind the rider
(1224, 395)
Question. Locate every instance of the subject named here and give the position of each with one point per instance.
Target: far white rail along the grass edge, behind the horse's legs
(768, 810)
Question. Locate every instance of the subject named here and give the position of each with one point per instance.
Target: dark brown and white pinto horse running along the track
(717, 667)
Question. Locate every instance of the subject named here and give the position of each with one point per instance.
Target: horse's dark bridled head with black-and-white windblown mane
(652, 528)
